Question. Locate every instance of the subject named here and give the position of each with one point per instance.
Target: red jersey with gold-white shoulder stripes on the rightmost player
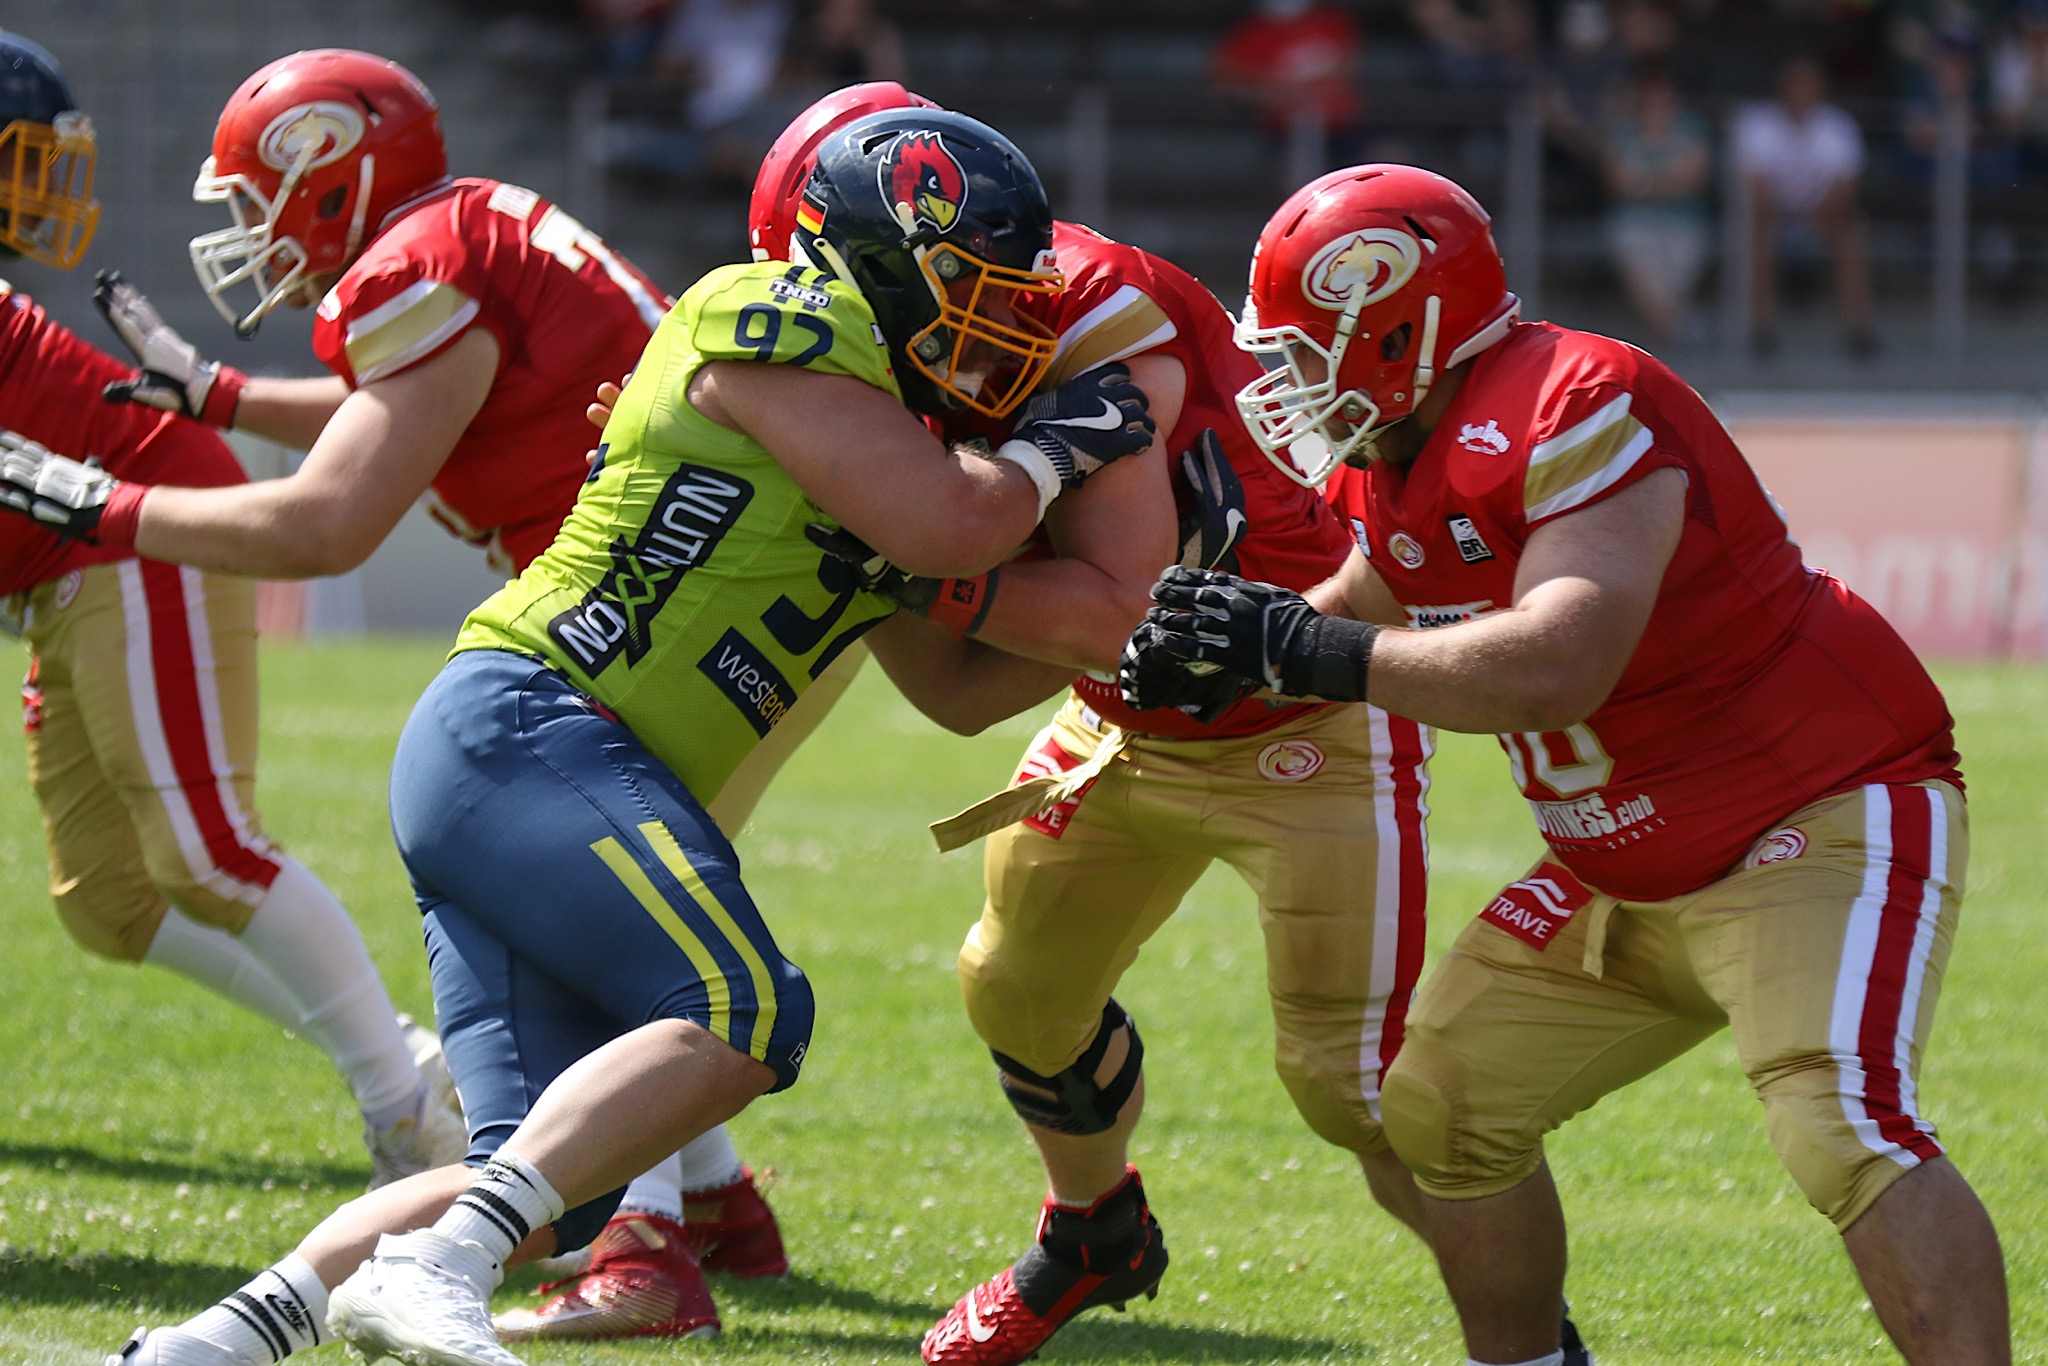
(1758, 687)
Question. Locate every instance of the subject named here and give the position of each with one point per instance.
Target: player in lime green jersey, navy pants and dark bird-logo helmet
(605, 984)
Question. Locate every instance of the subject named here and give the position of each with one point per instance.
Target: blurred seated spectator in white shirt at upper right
(1803, 161)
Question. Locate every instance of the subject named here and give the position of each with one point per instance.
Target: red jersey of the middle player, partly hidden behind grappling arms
(1117, 304)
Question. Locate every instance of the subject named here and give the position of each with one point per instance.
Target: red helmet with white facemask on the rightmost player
(1388, 255)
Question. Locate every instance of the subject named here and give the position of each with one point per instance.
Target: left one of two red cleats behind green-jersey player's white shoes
(642, 1283)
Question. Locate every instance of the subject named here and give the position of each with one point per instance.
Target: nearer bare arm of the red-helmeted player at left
(370, 464)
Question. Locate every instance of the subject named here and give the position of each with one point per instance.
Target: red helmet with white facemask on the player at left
(310, 157)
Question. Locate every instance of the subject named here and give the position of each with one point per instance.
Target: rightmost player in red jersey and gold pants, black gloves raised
(1746, 779)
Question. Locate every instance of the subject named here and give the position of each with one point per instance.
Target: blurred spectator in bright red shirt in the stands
(1297, 65)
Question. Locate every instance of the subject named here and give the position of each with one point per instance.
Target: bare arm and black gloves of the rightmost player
(1584, 595)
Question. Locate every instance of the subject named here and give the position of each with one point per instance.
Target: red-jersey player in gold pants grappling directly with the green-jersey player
(1310, 804)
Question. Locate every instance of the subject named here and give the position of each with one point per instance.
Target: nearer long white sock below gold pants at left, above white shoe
(312, 949)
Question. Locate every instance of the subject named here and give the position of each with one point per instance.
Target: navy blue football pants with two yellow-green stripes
(574, 890)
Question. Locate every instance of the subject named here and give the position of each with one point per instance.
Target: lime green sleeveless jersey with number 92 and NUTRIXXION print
(683, 593)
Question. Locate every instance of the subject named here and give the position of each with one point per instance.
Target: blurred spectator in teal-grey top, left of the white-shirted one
(1656, 169)
